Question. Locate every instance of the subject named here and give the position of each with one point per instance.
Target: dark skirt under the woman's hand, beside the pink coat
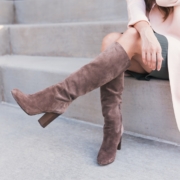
(163, 73)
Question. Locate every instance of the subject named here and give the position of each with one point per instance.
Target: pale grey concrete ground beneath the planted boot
(67, 149)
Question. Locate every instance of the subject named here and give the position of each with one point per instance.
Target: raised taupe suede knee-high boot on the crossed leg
(54, 100)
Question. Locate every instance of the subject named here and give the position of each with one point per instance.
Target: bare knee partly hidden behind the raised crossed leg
(109, 39)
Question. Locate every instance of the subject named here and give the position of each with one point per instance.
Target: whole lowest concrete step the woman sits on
(147, 107)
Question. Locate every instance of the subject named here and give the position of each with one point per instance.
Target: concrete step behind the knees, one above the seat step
(65, 39)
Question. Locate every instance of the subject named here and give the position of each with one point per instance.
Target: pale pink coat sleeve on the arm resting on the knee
(136, 12)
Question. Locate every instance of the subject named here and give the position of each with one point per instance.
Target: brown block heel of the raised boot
(47, 118)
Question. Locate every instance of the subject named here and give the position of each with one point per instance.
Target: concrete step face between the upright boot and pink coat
(148, 110)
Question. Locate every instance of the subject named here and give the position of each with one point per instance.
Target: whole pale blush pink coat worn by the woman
(169, 28)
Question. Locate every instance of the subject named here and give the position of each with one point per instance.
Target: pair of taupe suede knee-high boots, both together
(105, 71)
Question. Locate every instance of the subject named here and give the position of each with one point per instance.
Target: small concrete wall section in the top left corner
(7, 13)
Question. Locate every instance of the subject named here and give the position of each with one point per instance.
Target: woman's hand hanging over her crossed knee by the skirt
(151, 49)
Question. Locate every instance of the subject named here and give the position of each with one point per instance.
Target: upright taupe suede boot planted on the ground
(111, 99)
